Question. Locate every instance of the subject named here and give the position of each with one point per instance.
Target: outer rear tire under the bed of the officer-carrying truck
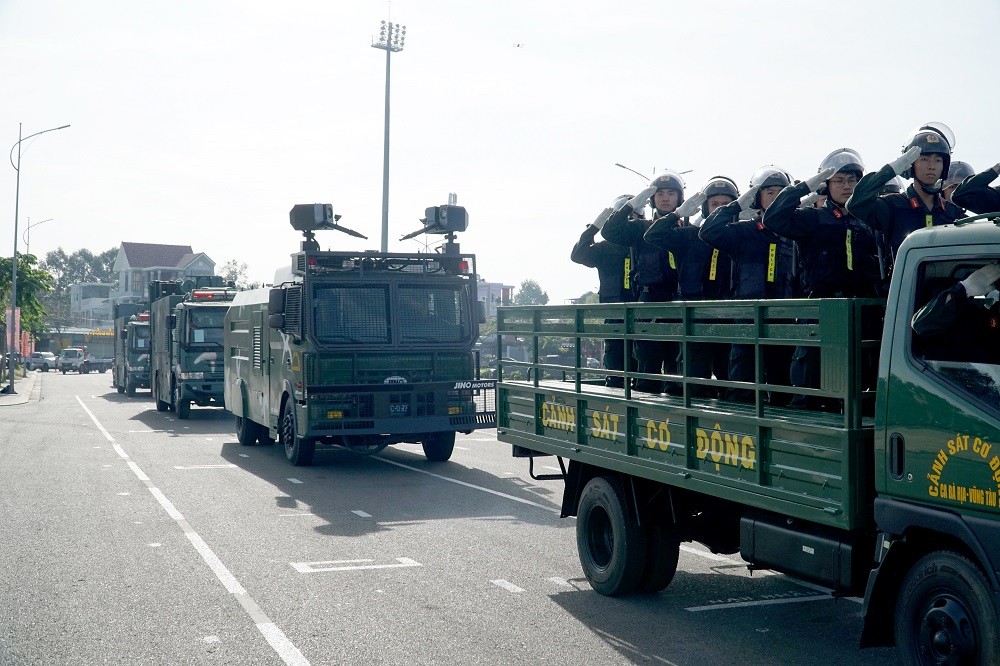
(610, 543)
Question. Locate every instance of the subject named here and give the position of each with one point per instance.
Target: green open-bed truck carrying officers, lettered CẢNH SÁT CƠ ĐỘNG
(892, 494)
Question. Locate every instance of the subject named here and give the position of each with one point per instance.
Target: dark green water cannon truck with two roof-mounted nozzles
(359, 349)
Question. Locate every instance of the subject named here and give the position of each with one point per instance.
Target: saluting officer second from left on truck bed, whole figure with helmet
(656, 269)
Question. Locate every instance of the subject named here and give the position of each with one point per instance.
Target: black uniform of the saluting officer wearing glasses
(838, 258)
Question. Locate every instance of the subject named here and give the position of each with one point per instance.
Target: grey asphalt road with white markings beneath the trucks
(130, 537)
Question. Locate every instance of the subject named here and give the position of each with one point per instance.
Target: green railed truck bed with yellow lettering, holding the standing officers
(806, 464)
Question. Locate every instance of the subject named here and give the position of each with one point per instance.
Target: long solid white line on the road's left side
(274, 636)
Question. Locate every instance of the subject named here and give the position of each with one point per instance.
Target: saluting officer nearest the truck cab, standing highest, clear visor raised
(926, 158)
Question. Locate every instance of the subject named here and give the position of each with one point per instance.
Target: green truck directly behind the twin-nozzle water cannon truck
(186, 320)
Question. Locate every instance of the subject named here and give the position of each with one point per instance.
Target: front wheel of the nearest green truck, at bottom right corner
(944, 614)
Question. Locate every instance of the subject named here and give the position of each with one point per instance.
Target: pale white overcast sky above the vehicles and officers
(203, 122)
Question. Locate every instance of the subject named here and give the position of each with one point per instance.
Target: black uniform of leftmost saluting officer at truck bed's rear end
(614, 268)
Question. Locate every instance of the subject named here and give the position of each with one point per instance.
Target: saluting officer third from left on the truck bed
(703, 271)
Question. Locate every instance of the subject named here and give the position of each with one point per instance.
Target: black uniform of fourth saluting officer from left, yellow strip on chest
(762, 269)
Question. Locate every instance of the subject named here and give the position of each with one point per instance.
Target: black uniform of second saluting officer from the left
(655, 282)
